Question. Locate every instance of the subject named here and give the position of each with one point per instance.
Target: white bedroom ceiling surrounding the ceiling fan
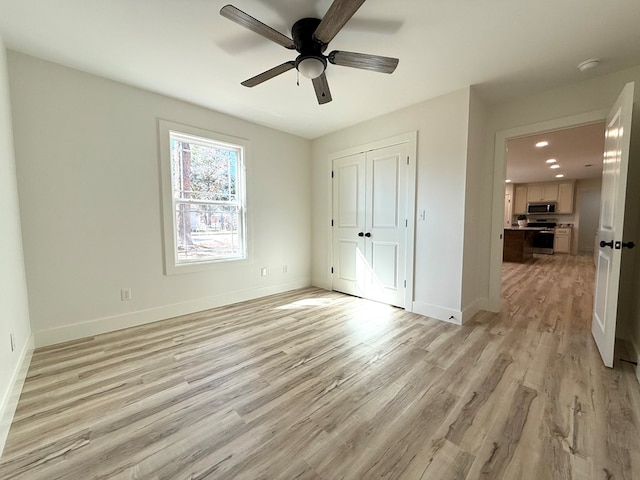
(185, 49)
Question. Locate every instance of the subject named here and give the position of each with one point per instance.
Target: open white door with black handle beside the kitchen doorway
(612, 203)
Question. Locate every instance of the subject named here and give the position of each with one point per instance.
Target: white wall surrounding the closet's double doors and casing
(442, 155)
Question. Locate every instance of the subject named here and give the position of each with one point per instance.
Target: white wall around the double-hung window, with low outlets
(88, 180)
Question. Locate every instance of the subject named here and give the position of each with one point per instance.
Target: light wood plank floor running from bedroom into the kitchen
(317, 385)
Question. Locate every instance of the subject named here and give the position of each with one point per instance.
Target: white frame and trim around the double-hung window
(171, 263)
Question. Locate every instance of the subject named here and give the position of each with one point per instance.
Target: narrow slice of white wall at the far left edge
(13, 288)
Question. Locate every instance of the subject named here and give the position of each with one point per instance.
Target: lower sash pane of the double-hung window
(207, 232)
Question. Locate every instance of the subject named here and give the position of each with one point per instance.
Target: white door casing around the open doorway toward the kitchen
(499, 176)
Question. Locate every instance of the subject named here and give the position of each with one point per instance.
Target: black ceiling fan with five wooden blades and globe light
(311, 36)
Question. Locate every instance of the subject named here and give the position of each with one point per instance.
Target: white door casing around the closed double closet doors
(411, 139)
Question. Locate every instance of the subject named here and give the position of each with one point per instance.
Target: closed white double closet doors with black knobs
(370, 224)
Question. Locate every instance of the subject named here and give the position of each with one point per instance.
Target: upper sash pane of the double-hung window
(203, 171)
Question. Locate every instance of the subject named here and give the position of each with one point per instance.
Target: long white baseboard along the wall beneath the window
(97, 326)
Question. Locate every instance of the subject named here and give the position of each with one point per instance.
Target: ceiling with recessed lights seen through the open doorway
(578, 152)
